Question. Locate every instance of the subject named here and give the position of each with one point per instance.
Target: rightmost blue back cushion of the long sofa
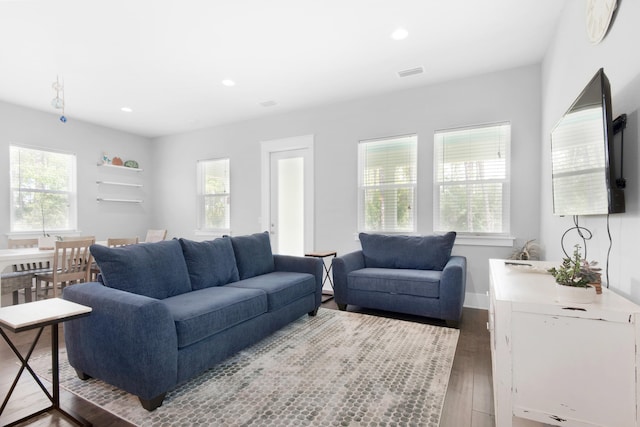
(253, 254)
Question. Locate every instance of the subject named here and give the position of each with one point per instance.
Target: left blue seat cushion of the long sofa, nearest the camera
(205, 312)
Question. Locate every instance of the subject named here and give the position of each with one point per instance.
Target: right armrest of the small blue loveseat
(453, 283)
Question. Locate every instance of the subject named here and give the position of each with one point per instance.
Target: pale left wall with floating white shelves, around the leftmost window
(24, 126)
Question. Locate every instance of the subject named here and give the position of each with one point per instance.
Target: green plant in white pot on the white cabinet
(574, 279)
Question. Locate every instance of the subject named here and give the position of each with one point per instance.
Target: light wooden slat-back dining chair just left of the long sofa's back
(71, 264)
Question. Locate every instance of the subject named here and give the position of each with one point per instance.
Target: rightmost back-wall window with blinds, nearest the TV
(471, 194)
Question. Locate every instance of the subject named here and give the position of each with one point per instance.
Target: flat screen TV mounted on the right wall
(582, 160)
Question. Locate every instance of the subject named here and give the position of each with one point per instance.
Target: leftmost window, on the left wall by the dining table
(43, 190)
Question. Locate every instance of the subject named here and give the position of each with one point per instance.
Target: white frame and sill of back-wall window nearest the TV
(501, 238)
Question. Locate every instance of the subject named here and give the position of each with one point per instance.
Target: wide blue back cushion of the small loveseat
(415, 252)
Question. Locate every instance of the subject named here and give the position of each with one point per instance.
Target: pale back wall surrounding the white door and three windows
(512, 95)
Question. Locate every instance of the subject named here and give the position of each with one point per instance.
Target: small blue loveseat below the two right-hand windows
(405, 274)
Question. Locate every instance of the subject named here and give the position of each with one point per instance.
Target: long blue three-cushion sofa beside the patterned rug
(167, 311)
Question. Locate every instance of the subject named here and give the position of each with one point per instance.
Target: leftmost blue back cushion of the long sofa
(156, 270)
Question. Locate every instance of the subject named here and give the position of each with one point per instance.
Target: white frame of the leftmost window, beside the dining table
(72, 194)
